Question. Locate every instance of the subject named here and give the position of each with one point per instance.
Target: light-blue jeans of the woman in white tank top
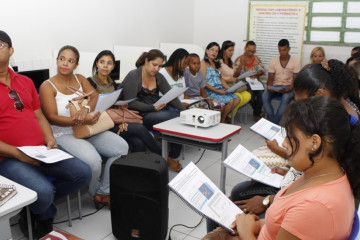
(91, 150)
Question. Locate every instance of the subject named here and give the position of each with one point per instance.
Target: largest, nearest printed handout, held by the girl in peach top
(202, 195)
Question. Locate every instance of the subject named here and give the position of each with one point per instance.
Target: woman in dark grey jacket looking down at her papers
(145, 83)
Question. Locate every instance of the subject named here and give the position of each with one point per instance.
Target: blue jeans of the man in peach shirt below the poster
(285, 99)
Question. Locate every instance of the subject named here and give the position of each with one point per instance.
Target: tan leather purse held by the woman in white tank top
(84, 131)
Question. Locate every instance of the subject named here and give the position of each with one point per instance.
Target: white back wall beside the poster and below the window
(227, 20)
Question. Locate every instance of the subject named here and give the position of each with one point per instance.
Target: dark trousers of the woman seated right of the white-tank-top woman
(139, 138)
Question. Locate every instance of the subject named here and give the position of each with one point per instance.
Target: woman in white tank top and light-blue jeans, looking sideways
(54, 97)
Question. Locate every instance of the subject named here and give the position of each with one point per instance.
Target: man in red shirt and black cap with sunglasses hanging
(22, 123)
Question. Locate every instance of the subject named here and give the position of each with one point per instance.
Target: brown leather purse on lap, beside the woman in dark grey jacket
(124, 115)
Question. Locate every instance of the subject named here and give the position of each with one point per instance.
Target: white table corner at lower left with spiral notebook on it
(24, 197)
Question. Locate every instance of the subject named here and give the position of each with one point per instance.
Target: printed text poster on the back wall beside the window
(270, 22)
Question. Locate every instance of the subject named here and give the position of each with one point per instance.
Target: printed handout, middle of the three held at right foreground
(244, 162)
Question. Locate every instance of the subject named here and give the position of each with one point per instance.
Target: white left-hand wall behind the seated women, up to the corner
(37, 27)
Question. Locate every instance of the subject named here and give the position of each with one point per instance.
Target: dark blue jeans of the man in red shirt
(70, 175)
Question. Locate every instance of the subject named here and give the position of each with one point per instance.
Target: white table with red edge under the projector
(213, 138)
